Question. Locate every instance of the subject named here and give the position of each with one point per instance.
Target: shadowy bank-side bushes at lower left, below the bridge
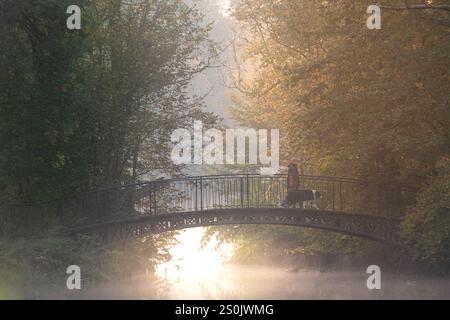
(28, 266)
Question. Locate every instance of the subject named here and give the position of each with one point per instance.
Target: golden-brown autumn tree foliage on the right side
(370, 104)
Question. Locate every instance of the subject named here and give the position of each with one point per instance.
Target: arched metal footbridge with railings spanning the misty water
(347, 206)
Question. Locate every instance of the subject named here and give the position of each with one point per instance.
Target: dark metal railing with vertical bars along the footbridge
(192, 194)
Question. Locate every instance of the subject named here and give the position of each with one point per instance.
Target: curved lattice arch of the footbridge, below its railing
(370, 227)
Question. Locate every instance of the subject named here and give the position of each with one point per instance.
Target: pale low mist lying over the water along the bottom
(255, 282)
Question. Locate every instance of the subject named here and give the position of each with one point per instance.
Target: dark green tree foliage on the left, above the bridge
(81, 109)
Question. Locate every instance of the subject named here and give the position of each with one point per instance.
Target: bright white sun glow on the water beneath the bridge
(193, 265)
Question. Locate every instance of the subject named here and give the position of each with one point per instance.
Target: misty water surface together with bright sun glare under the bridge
(202, 272)
